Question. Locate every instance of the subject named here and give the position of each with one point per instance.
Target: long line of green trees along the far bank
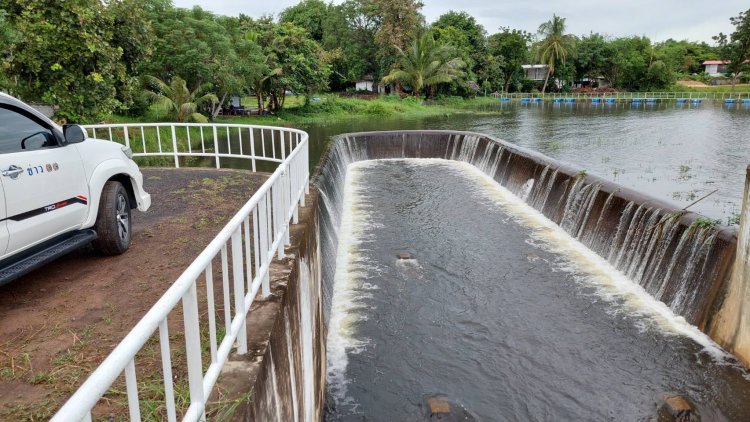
(97, 57)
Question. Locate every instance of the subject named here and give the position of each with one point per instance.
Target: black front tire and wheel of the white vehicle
(113, 227)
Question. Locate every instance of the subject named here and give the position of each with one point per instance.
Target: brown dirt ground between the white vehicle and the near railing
(59, 322)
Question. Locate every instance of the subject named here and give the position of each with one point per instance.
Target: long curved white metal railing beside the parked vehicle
(244, 249)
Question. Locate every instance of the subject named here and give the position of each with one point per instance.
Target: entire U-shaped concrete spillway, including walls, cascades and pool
(653, 262)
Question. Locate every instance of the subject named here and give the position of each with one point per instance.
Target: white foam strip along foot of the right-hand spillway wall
(589, 268)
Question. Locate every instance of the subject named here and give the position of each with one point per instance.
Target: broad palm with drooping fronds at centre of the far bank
(425, 64)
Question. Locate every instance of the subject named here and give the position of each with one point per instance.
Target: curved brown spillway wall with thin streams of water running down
(679, 258)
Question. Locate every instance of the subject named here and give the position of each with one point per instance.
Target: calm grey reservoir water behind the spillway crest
(676, 153)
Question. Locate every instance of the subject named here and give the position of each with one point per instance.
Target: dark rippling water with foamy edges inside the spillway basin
(499, 310)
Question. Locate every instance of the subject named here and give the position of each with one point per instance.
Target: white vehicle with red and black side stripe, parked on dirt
(60, 191)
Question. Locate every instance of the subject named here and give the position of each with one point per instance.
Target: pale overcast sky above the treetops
(695, 20)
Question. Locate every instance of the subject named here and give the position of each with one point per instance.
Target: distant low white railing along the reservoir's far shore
(630, 95)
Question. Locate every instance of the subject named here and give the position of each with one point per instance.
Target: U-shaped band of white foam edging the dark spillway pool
(589, 269)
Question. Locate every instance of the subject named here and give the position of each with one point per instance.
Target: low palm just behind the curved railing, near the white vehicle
(181, 103)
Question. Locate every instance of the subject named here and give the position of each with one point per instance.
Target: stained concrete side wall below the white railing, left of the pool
(282, 377)
